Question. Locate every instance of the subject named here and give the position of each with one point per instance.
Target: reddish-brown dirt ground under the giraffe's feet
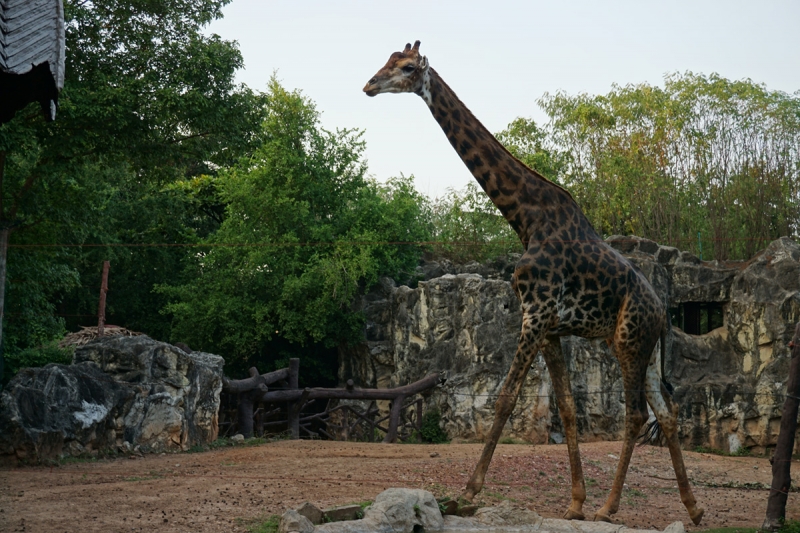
(227, 489)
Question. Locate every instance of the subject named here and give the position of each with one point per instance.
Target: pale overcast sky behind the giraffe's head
(500, 57)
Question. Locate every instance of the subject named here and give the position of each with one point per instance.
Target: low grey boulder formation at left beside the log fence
(120, 393)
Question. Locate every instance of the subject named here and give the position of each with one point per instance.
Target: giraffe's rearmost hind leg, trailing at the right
(666, 413)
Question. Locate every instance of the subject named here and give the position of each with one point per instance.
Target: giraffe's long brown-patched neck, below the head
(536, 208)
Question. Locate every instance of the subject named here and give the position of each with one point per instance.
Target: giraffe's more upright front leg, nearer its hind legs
(554, 358)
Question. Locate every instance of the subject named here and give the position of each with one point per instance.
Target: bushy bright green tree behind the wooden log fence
(303, 232)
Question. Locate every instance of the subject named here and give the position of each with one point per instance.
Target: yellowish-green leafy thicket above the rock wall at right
(702, 155)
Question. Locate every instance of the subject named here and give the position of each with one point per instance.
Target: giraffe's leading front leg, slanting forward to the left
(526, 351)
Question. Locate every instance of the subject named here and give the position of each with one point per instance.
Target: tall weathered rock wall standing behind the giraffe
(465, 320)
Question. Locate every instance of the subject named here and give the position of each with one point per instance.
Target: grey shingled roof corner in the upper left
(31, 55)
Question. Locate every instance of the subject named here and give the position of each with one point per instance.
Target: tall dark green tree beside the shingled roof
(148, 99)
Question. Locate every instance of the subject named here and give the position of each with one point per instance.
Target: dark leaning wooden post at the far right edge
(782, 458)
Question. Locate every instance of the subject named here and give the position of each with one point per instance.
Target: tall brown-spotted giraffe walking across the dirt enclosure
(569, 282)
